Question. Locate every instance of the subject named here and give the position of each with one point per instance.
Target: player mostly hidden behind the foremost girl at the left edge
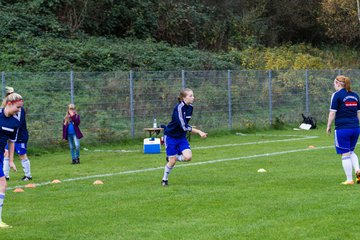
(20, 145)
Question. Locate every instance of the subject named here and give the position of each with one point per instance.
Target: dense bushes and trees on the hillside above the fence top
(103, 35)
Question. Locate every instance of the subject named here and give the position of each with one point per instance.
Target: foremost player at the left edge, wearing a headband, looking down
(9, 126)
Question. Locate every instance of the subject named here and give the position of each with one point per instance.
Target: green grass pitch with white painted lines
(218, 195)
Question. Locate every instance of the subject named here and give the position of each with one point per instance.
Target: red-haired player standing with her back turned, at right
(345, 110)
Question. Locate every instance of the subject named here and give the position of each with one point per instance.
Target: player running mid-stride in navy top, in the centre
(176, 143)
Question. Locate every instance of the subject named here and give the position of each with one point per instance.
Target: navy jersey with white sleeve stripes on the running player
(179, 124)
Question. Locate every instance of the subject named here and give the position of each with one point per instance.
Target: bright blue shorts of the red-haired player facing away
(346, 139)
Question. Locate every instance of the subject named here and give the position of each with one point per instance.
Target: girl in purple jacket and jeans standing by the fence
(72, 133)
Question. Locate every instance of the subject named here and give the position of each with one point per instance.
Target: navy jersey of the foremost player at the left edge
(8, 130)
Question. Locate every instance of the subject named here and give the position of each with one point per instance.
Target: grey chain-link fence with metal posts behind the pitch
(118, 105)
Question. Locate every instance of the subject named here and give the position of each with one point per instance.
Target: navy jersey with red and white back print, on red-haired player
(346, 105)
